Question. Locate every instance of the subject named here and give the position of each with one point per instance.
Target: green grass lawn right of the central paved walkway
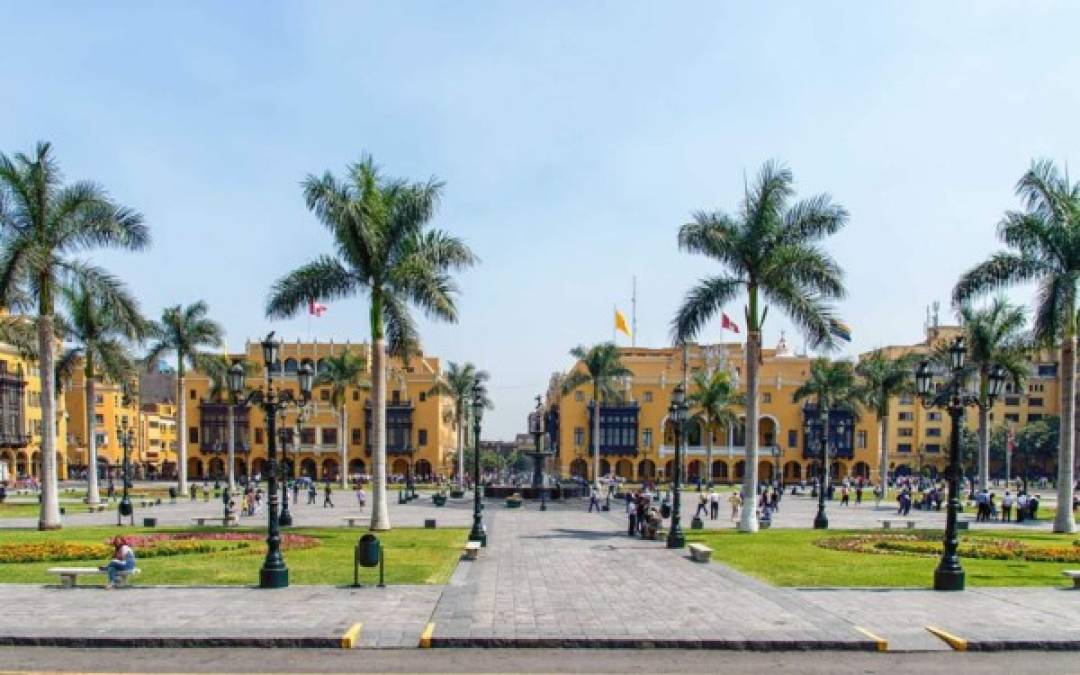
(789, 558)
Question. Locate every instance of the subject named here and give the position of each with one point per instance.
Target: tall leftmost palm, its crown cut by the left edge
(44, 224)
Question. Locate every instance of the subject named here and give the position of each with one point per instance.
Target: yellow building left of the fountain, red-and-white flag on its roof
(420, 438)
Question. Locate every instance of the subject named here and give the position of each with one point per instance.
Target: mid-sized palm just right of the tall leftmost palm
(102, 335)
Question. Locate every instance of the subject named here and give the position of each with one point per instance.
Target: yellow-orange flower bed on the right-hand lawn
(930, 546)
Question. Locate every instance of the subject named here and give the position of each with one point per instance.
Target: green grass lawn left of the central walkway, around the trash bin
(413, 557)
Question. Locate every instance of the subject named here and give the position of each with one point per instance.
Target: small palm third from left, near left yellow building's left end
(185, 332)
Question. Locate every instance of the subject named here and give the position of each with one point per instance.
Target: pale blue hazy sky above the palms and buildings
(574, 139)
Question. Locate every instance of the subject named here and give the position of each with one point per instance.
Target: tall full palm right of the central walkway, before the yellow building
(769, 249)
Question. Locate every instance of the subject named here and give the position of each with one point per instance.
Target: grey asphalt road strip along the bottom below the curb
(528, 661)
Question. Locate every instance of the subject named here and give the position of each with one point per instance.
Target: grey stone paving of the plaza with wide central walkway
(561, 578)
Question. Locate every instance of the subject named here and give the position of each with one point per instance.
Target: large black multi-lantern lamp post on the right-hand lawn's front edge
(954, 398)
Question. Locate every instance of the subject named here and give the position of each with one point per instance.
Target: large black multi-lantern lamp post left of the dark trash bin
(274, 574)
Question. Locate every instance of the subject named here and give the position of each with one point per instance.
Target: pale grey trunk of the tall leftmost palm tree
(50, 518)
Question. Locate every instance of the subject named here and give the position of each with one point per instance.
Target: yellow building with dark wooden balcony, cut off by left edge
(21, 420)
